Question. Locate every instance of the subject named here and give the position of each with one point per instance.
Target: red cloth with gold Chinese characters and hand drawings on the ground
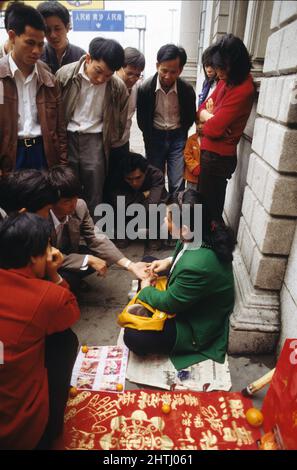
(134, 420)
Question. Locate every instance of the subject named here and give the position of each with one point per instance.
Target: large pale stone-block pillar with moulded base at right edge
(269, 209)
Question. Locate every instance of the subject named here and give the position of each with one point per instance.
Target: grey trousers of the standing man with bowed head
(86, 156)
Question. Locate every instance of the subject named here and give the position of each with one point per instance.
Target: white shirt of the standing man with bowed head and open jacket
(88, 114)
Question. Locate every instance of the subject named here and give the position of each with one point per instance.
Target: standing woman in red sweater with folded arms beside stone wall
(223, 118)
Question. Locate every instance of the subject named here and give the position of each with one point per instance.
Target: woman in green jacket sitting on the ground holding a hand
(200, 292)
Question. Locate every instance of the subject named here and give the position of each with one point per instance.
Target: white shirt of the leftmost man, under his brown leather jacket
(28, 124)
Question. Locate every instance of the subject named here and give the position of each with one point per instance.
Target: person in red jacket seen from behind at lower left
(39, 347)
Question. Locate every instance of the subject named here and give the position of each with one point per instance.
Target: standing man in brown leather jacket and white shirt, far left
(32, 128)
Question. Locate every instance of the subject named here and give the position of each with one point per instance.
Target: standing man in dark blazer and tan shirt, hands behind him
(166, 106)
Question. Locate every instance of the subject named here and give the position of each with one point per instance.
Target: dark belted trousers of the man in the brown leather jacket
(32, 156)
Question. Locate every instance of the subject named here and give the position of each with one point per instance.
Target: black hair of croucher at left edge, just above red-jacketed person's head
(30, 189)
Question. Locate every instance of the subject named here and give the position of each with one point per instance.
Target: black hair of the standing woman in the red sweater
(230, 52)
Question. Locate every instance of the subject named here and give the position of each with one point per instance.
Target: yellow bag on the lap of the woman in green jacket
(142, 321)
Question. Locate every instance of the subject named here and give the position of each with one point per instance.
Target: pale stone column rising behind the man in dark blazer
(189, 25)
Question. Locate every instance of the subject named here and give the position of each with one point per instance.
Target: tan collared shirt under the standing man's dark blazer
(167, 112)
